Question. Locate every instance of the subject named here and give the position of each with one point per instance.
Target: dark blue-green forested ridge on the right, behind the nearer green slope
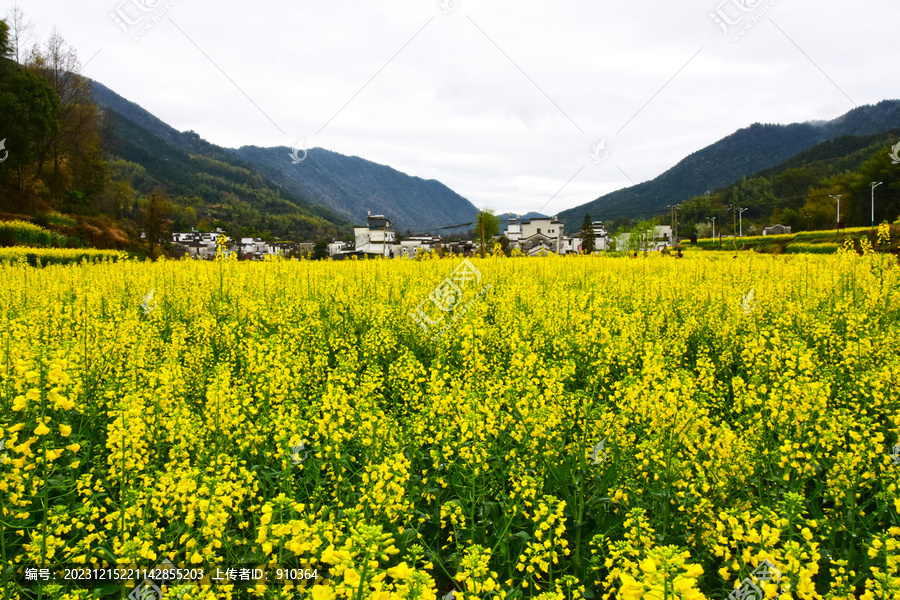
(743, 153)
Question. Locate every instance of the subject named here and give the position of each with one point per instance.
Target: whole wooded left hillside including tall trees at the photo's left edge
(93, 177)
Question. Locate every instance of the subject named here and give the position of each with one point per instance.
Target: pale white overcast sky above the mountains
(503, 101)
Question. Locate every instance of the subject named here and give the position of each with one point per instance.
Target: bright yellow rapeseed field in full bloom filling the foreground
(559, 428)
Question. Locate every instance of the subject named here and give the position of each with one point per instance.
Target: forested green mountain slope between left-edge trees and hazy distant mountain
(209, 185)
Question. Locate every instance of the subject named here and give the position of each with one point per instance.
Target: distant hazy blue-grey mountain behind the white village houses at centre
(353, 187)
